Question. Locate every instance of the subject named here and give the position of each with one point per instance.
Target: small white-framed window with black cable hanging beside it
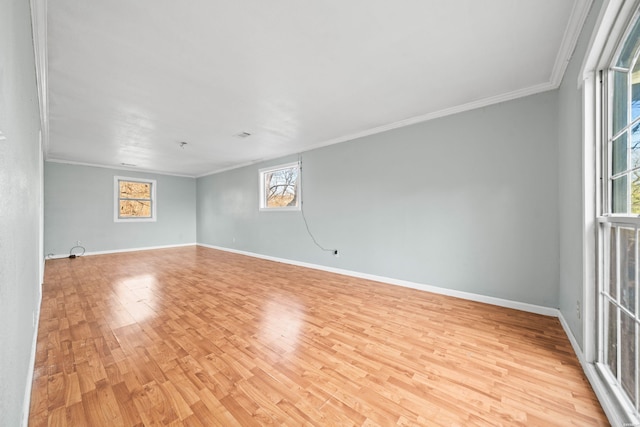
(279, 188)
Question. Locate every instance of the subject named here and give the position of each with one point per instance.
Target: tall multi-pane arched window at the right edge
(618, 300)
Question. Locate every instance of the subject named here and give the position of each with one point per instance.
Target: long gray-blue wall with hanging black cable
(466, 202)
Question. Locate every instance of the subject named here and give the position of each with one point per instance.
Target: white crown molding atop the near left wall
(39, 33)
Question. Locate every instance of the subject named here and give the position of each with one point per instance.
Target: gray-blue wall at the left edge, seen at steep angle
(20, 208)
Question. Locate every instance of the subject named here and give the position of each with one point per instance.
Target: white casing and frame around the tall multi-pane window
(611, 26)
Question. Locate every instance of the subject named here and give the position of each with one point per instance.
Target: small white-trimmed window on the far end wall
(134, 199)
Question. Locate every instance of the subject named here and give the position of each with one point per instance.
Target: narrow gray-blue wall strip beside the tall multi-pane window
(570, 183)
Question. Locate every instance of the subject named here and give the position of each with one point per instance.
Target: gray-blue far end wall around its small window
(79, 205)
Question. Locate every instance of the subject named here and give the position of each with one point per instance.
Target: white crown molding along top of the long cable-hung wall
(485, 102)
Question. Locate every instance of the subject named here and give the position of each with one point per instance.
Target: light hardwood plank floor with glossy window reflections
(199, 337)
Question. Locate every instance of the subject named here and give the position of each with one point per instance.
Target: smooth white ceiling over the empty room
(127, 81)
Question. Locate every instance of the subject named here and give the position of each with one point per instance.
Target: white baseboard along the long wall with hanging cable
(531, 308)
